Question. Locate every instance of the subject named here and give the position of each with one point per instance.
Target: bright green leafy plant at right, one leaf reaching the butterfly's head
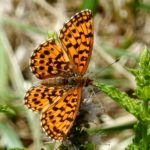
(138, 107)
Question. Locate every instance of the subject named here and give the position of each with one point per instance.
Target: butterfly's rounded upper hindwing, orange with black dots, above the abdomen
(49, 61)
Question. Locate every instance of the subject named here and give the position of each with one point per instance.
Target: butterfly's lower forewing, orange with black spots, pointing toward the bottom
(59, 118)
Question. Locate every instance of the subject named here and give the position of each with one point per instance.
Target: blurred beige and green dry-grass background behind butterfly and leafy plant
(121, 30)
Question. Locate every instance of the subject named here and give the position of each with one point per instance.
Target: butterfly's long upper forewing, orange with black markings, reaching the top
(77, 39)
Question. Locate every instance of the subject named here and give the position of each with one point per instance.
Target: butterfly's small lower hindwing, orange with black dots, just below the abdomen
(40, 97)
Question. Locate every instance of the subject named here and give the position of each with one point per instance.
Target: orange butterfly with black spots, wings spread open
(61, 65)
